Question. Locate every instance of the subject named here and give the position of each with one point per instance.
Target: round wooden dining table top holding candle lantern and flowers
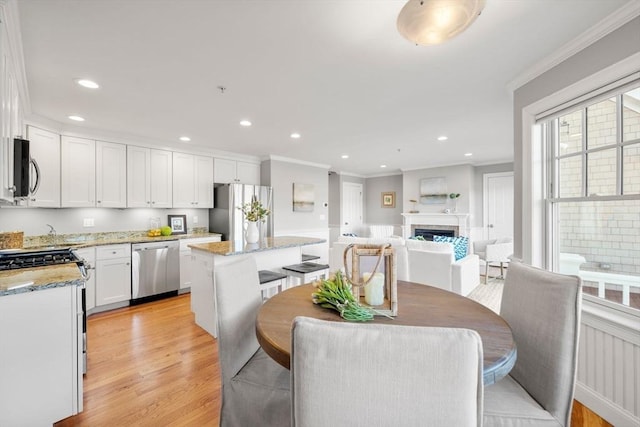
(418, 305)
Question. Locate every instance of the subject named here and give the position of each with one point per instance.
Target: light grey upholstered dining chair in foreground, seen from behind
(384, 375)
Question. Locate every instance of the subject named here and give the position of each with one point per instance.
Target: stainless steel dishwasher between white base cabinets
(155, 268)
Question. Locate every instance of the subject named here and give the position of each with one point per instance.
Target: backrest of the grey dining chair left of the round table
(238, 299)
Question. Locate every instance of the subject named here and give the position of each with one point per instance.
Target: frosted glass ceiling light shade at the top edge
(427, 22)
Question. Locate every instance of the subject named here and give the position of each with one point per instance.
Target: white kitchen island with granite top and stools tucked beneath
(270, 254)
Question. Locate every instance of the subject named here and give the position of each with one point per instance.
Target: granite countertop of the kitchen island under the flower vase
(270, 243)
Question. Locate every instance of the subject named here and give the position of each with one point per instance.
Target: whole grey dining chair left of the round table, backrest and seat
(255, 389)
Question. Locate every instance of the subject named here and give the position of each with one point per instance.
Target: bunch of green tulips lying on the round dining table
(335, 293)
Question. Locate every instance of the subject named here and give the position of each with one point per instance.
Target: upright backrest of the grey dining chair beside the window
(543, 310)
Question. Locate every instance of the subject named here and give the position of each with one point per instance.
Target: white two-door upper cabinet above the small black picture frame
(192, 181)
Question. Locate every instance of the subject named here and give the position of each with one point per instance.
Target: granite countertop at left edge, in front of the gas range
(39, 278)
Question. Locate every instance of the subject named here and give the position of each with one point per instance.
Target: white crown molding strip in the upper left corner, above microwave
(10, 17)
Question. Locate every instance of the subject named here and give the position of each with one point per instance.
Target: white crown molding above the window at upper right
(609, 24)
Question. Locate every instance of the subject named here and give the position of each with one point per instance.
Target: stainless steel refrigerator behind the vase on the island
(226, 217)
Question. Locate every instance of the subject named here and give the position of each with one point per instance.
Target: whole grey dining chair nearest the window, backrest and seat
(543, 310)
